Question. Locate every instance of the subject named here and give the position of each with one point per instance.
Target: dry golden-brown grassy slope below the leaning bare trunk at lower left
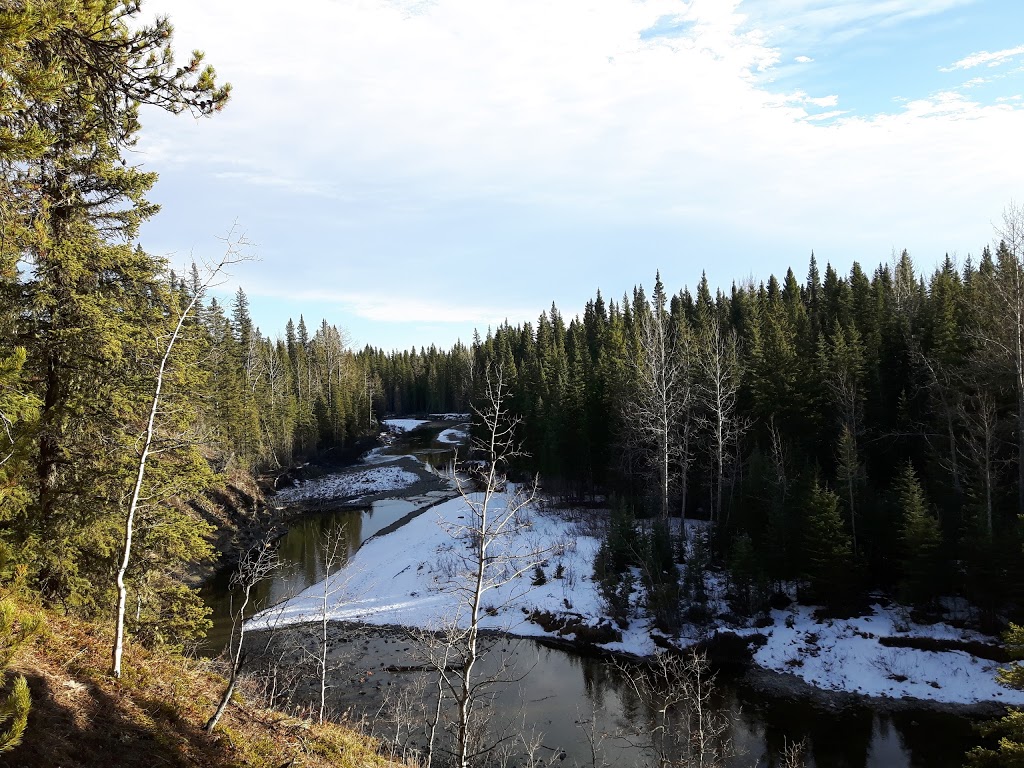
(155, 715)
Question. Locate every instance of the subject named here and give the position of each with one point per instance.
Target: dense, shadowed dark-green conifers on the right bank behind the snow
(848, 433)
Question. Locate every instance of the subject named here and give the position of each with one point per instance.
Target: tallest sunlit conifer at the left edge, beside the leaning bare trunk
(76, 74)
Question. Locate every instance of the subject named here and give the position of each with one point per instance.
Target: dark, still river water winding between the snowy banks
(571, 701)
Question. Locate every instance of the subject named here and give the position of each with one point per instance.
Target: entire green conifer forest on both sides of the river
(844, 435)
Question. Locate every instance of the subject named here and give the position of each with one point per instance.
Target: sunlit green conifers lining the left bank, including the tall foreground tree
(86, 319)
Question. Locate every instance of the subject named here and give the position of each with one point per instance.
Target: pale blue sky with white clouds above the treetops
(412, 170)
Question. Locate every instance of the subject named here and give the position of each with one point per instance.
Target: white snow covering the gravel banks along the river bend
(405, 579)
